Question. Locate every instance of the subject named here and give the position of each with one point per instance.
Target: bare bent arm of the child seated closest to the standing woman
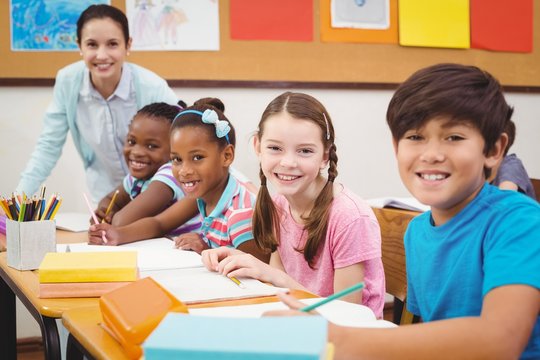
(150, 202)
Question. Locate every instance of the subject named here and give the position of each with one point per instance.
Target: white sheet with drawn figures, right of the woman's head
(181, 25)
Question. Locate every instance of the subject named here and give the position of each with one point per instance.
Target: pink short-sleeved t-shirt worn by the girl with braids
(353, 236)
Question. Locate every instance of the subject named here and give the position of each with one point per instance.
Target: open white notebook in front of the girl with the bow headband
(153, 254)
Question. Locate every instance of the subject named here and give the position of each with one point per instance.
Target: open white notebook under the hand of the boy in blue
(338, 312)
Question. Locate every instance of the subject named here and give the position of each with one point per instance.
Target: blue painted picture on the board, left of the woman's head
(46, 25)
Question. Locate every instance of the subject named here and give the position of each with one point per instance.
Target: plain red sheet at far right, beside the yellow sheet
(502, 25)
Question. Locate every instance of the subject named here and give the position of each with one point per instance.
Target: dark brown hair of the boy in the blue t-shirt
(460, 92)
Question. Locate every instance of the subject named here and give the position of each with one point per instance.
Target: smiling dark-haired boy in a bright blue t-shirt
(473, 261)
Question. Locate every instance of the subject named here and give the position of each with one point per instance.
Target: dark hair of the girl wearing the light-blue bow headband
(194, 120)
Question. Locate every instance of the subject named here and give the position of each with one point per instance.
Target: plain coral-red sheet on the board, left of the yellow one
(283, 20)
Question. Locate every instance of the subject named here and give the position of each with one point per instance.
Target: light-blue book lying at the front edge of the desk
(192, 337)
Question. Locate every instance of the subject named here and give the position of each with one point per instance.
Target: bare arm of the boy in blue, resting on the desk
(502, 331)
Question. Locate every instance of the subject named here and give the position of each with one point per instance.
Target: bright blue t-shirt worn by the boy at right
(494, 241)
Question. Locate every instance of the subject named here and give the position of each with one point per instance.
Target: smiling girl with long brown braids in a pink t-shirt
(322, 237)
